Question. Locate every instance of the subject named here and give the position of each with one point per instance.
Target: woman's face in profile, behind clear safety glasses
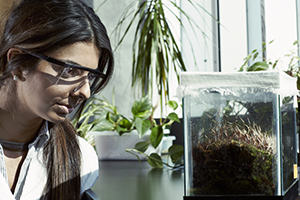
(42, 94)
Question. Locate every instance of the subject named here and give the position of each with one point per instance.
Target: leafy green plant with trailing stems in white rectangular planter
(141, 130)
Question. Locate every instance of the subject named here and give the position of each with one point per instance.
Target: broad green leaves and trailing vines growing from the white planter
(100, 115)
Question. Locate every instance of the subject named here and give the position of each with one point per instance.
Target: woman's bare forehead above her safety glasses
(84, 54)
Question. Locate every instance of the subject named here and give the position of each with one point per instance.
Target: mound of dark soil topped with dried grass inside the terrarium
(234, 159)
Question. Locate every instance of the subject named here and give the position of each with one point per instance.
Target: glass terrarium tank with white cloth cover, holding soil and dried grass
(239, 135)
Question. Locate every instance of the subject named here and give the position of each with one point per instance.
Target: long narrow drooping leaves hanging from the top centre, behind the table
(154, 48)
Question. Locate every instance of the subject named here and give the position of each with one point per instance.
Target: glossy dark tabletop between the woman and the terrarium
(131, 180)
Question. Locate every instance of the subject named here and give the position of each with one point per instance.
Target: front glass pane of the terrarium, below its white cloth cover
(233, 148)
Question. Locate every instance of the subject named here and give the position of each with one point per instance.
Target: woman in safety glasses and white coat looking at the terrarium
(54, 54)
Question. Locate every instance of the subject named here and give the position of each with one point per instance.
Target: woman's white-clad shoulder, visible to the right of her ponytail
(89, 165)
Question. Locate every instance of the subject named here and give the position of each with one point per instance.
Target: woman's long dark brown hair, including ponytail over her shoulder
(45, 26)
